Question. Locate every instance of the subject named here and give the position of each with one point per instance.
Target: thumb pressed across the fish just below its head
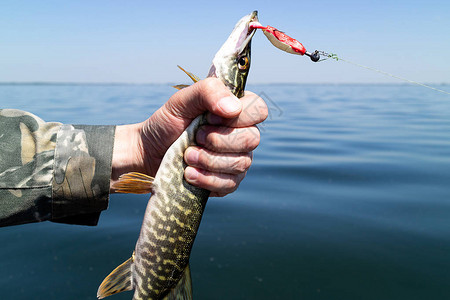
(209, 94)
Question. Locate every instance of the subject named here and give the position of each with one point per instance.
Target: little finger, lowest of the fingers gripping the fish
(219, 183)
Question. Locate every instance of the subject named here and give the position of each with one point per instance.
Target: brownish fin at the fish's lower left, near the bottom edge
(119, 280)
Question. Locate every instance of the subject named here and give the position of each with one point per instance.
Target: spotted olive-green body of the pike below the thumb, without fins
(182, 216)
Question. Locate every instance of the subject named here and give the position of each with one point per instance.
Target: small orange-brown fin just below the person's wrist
(136, 183)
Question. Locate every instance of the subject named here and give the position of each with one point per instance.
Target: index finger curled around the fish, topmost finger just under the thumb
(254, 111)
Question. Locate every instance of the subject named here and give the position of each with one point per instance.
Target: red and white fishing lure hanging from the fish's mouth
(284, 42)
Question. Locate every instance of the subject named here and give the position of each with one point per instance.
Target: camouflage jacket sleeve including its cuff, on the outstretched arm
(51, 171)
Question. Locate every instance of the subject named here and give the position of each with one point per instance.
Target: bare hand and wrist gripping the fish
(225, 145)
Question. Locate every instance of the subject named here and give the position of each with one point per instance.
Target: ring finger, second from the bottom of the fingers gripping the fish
(230, 163)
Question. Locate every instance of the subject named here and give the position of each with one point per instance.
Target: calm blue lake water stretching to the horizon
(348, 198)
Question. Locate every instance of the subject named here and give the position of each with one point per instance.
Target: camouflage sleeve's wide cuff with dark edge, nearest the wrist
(82, 172)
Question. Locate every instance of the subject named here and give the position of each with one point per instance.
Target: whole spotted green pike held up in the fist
(159, 266)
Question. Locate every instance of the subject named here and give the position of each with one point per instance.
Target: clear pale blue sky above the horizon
(112, 41)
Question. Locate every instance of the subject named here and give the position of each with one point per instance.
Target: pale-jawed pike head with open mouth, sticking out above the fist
(231, 63)
